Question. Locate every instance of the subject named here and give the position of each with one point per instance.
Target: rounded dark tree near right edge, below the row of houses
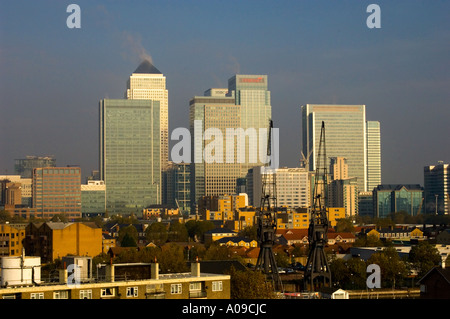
(423, 257)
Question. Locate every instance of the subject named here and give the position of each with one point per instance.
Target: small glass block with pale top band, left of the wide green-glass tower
(93, 198)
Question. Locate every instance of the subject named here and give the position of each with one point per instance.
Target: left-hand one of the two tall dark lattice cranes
(267, 223)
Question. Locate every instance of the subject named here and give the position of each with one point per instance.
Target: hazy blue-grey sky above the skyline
(52, 77)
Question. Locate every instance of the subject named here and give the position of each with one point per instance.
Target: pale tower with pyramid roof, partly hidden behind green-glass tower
(148, 83)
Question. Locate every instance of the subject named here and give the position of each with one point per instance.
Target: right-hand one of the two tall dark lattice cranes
(317, 273)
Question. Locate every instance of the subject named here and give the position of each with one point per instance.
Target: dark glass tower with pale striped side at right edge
(437, 188)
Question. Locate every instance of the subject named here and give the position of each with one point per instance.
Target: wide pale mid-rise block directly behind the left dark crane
(292, 189)
